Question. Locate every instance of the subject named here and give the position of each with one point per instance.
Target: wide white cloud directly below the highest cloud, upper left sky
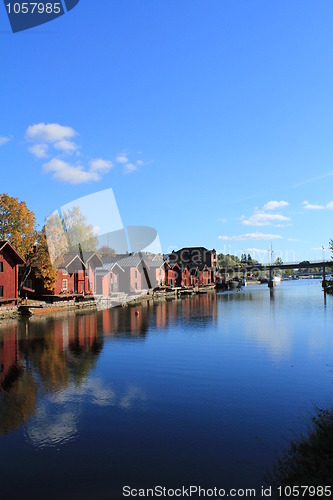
(74, 174)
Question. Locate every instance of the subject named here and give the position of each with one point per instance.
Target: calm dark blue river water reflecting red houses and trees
(204, 390)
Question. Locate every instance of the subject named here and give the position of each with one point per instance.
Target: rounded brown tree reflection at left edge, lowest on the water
(17, 399)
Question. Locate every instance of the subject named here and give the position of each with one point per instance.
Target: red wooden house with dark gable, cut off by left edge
(9, 262)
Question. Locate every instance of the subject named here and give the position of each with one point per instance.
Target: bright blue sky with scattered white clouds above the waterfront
(197, 115)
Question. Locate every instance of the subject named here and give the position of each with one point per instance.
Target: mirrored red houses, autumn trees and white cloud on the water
(46, 363)
